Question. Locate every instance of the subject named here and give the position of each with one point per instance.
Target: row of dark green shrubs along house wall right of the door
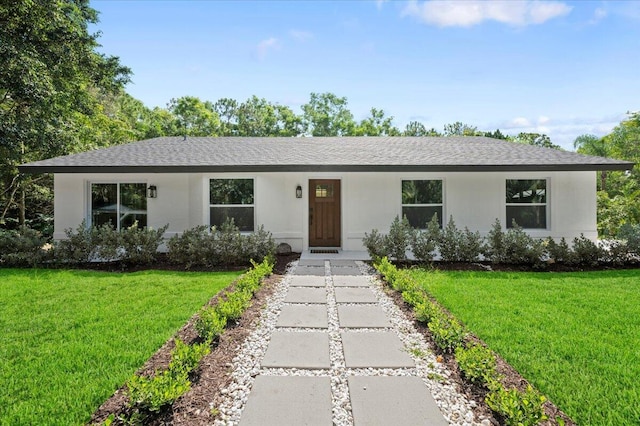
(513, 246)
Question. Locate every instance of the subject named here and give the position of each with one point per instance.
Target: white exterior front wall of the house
(369, 200)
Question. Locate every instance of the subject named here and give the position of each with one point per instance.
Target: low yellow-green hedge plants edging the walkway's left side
(153, 394)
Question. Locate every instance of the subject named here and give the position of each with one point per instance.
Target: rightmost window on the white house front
(527, 203)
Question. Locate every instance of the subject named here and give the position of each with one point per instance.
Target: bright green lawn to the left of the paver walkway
(69, 339)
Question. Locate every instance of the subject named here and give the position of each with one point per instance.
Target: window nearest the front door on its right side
(421, 199)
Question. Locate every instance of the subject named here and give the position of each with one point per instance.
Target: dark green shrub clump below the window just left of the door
(200, 247)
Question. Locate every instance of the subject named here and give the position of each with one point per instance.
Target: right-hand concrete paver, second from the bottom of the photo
(380, 349)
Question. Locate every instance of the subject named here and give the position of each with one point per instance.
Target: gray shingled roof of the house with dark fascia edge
(233, 154)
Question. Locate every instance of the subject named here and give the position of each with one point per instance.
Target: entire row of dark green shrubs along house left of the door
(197, 247)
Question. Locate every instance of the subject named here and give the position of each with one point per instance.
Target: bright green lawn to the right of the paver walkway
(575, 336)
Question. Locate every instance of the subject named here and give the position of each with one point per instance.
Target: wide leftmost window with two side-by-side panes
(121, 204)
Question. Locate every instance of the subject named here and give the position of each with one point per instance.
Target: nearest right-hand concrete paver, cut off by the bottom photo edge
(400, 401)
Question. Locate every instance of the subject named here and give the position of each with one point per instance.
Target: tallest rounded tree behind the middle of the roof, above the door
(327, 115)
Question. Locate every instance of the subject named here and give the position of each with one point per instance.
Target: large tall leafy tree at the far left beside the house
(51, 80)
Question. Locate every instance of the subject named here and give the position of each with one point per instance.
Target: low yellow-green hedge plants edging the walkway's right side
(477, 363)
